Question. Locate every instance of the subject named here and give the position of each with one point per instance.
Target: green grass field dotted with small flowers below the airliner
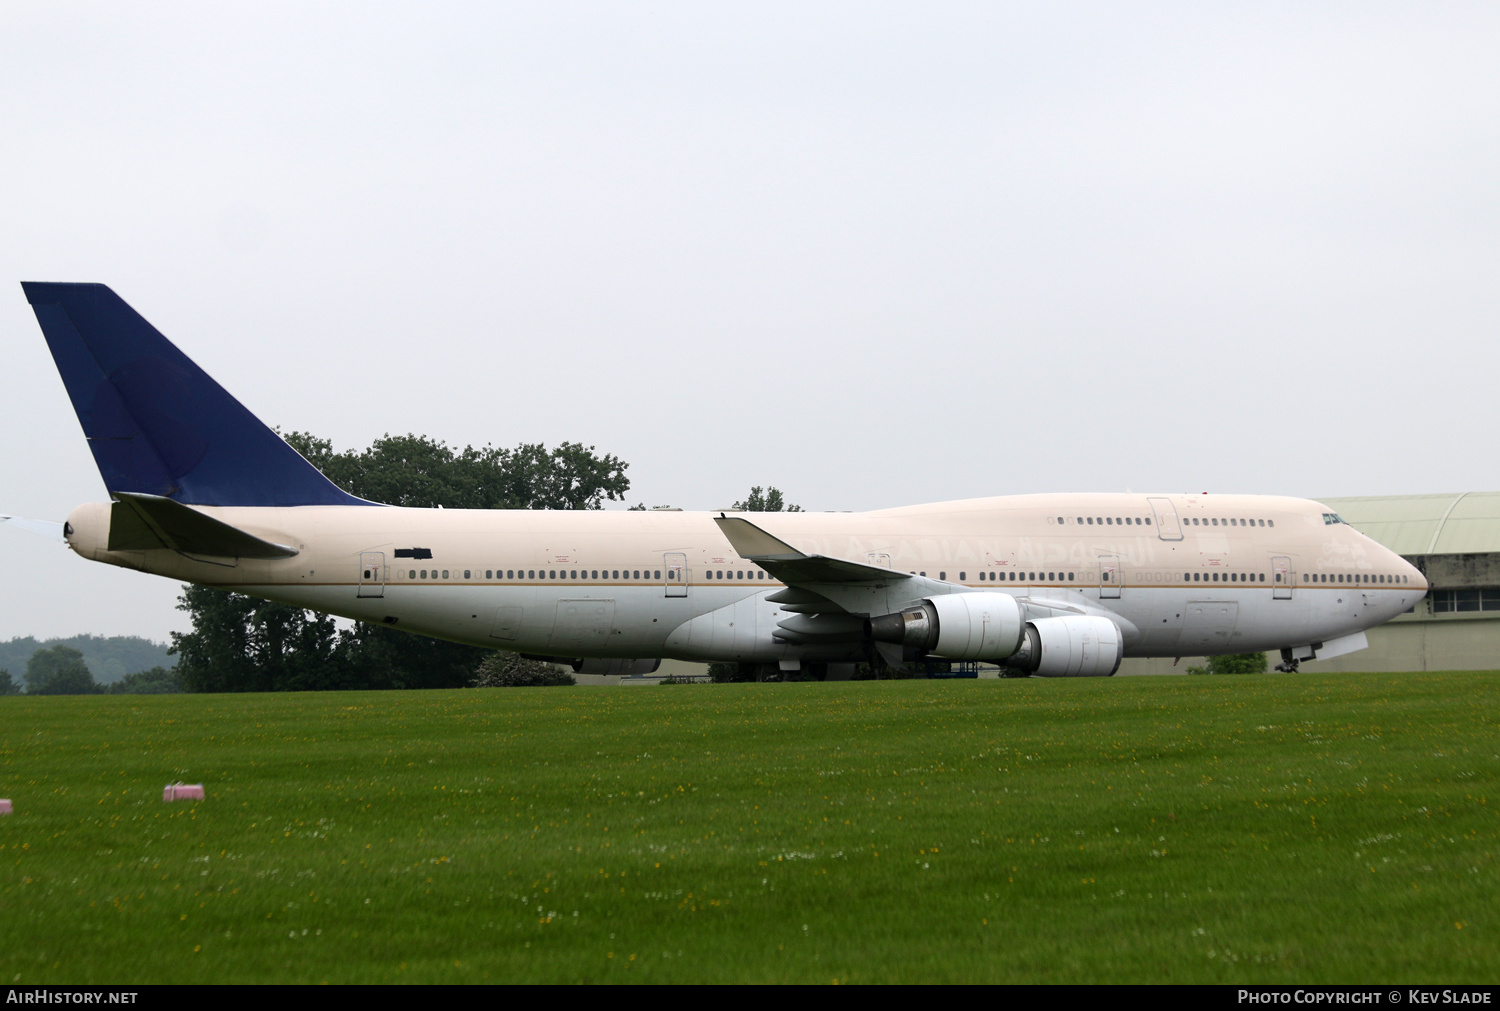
(1300, 829)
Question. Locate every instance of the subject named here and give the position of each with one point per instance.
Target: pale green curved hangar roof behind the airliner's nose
(1454, 524)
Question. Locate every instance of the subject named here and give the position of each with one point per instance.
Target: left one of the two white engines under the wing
(970, 626)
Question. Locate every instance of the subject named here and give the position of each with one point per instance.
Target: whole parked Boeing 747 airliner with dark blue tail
(1057, 586)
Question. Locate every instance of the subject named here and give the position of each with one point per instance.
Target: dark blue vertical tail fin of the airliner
(160, 425)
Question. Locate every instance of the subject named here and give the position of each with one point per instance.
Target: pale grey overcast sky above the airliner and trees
(871, 254)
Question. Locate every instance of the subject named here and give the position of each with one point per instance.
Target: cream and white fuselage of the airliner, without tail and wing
(1187, 575)
